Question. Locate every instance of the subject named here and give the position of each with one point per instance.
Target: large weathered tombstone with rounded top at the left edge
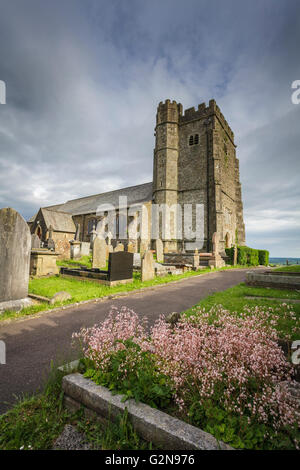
(15, 247)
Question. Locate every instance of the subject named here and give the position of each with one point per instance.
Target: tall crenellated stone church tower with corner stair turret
(195, 163)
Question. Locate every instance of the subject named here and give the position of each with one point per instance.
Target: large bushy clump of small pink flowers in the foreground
(217, 367)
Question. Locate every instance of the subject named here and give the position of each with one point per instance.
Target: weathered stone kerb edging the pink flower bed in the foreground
(151, 424)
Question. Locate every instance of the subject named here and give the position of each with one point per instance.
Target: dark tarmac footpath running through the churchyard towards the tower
(31, 343)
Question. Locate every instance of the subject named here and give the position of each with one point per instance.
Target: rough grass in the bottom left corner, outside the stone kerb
(35, 422)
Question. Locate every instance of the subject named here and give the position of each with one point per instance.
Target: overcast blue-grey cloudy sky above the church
(84, 78)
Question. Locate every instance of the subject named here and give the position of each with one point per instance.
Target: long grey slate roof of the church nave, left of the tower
(89, 204)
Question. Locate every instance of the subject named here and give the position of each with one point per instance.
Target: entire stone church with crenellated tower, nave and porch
(194, 164)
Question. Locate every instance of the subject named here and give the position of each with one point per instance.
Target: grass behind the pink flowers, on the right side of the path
(234, 300)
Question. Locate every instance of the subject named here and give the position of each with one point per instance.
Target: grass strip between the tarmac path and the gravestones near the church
(81, 290)
